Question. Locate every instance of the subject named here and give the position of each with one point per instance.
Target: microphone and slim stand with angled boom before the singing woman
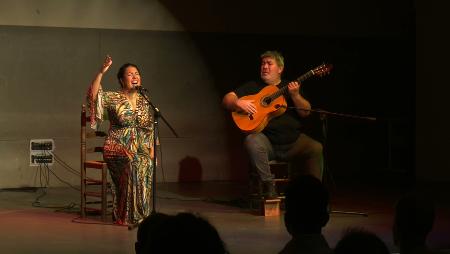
(156, 116)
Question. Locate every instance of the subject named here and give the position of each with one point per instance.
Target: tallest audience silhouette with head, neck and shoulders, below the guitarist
(306, 214)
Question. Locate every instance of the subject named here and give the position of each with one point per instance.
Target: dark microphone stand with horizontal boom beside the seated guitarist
(323, 115)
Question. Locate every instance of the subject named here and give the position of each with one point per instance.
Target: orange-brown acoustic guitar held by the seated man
(270, 103)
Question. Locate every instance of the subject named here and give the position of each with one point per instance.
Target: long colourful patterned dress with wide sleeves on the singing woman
(127, 153)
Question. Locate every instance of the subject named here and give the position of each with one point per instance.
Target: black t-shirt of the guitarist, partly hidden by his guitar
(281, 130)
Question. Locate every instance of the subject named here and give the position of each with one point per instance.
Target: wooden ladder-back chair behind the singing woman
(94, 185)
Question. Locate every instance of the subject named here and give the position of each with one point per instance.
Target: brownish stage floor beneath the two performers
(53, 228)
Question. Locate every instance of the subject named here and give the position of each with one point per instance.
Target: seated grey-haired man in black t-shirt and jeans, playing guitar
(282, 138)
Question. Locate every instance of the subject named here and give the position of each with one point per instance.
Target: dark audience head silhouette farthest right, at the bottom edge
(413, 221)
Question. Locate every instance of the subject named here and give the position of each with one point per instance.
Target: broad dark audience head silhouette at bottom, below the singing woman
(182, 233)
